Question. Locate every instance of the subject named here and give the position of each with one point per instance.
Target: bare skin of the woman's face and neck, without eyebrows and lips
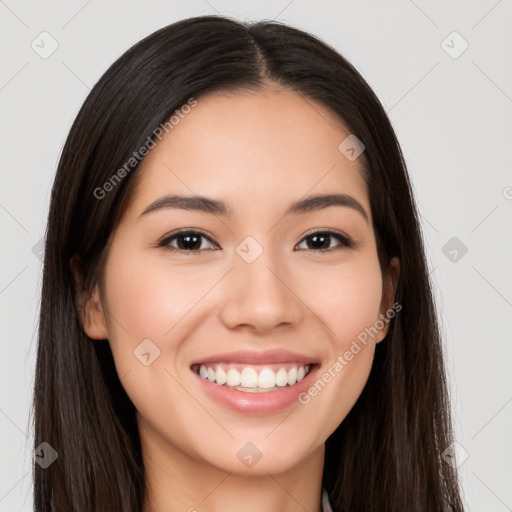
(259, 152)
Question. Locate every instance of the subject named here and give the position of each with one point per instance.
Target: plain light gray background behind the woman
(452, 117)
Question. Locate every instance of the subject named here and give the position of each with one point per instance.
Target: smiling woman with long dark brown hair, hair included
(236, 312)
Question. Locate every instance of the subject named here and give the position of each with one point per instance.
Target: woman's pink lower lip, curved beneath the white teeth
(261, 402)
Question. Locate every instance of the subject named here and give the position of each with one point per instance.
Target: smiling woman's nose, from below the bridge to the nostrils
(260, 296)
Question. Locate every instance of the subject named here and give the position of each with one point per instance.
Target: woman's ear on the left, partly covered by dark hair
(90, 308)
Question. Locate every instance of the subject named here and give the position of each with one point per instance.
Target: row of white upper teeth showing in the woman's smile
(250, 380)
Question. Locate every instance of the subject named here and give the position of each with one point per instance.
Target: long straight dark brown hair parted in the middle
(386, 454)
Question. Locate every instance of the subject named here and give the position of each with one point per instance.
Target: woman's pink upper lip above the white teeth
(257, 357)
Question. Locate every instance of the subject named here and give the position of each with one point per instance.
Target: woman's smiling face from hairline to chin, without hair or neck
(249, 327)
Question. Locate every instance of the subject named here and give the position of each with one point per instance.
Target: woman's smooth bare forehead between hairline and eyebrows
(252, 148)
